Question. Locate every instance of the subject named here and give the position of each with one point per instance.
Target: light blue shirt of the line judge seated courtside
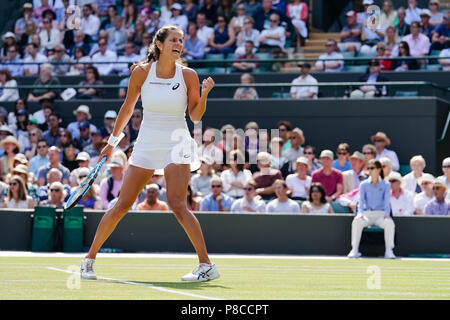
(375, 197)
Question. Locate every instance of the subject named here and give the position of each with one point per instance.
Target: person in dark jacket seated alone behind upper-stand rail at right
(371, 77)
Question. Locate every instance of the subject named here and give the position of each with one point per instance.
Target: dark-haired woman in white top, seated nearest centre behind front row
(234, 179)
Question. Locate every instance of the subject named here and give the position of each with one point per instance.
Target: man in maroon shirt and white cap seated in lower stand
(330, 178)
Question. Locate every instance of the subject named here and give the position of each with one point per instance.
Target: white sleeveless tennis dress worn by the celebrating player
(164, 136)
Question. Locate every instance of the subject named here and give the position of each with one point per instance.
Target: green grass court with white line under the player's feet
(287, 278)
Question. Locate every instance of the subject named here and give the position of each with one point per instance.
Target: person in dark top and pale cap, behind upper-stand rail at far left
(45, 79)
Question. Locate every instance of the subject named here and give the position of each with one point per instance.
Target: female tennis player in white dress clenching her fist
(166, 88)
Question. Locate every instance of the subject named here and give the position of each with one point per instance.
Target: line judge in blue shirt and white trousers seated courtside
(374, 209)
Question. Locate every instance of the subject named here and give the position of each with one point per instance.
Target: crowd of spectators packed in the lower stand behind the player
(242, 170)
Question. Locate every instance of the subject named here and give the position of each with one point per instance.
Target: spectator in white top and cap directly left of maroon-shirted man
(299, 182)
